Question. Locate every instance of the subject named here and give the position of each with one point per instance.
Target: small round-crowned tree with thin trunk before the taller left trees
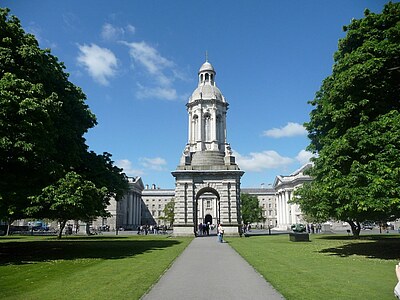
(70, 198)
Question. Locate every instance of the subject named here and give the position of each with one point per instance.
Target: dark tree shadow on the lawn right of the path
(375, 246)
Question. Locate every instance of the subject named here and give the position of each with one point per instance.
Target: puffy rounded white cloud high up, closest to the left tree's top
(101, 63)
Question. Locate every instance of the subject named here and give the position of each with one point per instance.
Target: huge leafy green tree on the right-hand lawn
(355, 127)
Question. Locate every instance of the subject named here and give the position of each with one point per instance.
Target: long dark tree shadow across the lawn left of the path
(78, 248)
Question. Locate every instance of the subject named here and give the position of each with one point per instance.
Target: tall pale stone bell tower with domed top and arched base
(207, 178)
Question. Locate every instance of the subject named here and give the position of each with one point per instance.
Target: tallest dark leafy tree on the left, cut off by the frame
(43, 117)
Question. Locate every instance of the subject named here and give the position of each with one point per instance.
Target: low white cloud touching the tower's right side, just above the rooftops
(259, 161)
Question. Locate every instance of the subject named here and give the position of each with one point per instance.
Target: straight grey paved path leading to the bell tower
(211, 270)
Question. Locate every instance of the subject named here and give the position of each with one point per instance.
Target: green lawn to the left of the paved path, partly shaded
(106, 267)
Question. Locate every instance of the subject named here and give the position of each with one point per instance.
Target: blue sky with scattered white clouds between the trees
(137, 62)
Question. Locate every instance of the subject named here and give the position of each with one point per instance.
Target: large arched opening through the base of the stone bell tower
(207, 211)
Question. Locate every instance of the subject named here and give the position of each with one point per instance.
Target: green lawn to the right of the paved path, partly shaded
(328, 267)
